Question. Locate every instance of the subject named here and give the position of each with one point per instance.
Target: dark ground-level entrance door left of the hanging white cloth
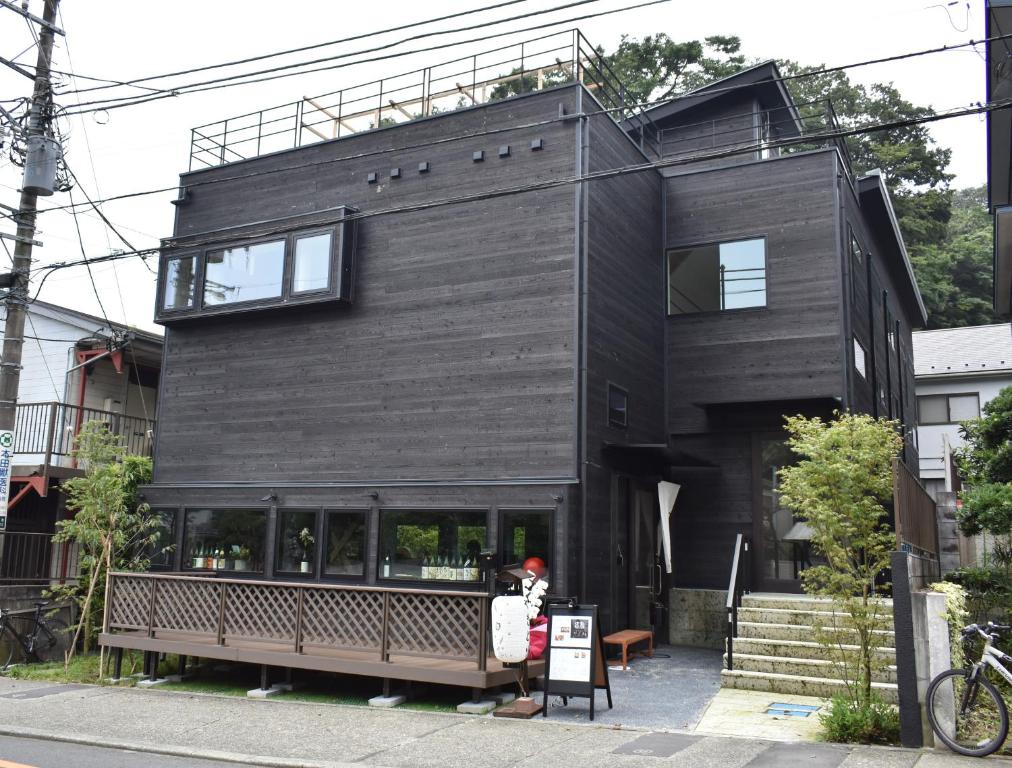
(646, 574)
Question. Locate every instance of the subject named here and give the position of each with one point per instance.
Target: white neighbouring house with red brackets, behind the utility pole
(75, 369)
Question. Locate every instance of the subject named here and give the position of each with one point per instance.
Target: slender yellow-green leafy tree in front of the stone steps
(839, 485)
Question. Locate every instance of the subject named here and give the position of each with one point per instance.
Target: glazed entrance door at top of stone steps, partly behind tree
(782, 541)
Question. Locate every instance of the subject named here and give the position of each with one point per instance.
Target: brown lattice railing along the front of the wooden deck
(374, 620)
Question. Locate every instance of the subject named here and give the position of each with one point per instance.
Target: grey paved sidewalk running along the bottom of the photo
(289, 734)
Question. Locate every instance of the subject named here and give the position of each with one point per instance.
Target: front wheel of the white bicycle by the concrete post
(969, 717)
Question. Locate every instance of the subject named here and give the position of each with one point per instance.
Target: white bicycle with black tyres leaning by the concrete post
(966, 711)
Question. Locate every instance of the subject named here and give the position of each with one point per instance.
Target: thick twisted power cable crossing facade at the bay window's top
(175, 245)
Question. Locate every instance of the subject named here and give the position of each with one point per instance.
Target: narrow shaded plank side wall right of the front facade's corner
(625, 342)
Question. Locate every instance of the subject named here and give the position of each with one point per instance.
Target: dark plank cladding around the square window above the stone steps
(792, 349)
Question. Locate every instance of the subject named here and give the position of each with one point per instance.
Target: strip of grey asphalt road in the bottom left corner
(33, 753)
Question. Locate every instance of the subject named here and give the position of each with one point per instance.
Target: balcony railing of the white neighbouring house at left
(44, 433)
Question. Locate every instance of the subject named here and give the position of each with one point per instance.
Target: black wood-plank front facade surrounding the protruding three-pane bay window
(457, 359)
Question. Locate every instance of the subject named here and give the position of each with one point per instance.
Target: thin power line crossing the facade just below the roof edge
(692, 95)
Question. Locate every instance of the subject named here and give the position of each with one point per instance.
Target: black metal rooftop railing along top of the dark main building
(533, 65)
